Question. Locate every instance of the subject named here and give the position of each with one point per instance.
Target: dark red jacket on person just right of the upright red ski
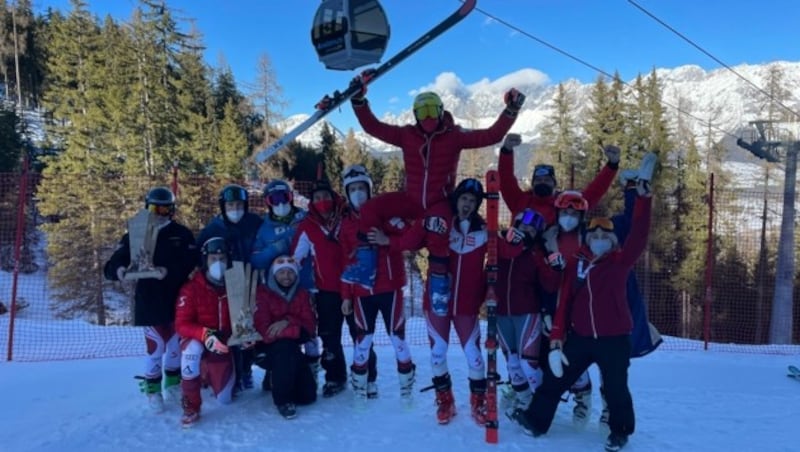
(519, 274)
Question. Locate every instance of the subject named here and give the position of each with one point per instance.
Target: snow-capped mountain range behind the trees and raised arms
(719, 96)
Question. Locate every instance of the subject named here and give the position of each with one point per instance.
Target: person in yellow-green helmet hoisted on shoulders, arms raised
(431, 149)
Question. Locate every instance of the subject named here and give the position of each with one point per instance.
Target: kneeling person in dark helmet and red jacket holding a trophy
(203, 322)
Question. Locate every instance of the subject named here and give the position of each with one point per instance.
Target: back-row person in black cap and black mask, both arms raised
(543, 180)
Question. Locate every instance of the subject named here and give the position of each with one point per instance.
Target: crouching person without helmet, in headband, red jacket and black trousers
(285, 319)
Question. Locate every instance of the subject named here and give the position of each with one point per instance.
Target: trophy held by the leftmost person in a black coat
(142, 235)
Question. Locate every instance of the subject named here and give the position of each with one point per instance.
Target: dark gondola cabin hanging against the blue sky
(348, 34)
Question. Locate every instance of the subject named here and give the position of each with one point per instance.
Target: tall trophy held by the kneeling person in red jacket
(240, 284)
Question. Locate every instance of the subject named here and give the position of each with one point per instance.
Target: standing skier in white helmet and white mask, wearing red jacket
(385, 297)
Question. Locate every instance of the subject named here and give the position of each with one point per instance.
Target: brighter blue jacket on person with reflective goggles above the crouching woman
(274, 238)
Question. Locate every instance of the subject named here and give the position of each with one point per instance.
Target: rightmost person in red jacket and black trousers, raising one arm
(593, 325)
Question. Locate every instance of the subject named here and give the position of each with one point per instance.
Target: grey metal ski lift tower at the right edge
(777, 141)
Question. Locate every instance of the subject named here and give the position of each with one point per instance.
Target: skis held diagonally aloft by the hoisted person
(333, 101)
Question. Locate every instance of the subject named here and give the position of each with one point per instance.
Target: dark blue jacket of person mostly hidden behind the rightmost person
(644, 337)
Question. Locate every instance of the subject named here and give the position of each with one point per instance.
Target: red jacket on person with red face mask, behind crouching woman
(313, 240)
